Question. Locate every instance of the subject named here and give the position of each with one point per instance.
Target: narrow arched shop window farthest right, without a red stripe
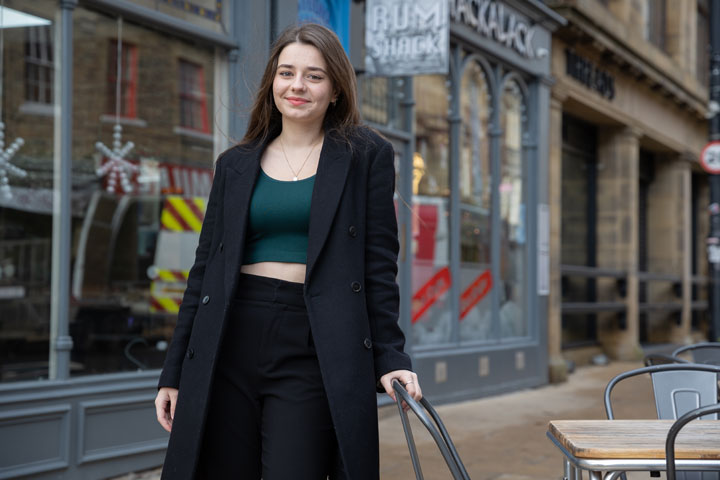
(513, 204)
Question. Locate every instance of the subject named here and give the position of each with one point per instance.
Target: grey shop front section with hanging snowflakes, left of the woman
(113, 113)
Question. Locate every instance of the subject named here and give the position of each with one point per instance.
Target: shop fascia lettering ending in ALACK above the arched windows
(496, 21)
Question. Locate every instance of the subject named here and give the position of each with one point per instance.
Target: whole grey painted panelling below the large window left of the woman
(81, 428)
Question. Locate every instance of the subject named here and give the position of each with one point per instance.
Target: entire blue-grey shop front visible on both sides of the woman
(122, 107)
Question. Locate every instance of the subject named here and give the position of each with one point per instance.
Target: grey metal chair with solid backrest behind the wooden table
(678, 388)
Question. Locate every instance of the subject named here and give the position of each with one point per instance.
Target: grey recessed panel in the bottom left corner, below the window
(35, 440)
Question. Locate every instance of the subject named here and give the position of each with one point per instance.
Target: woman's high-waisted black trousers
(268, 414)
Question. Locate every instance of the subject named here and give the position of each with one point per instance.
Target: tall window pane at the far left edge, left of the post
(26, 187)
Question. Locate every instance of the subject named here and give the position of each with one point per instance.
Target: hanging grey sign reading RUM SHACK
(407, 37)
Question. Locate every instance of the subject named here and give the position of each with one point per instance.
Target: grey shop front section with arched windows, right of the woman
(472, 204)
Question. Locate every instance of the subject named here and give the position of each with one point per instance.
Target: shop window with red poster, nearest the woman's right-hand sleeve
(431, 278)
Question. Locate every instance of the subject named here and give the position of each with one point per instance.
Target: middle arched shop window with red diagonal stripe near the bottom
(475, 206)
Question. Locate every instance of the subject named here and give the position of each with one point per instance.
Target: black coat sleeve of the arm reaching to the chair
(381, 253)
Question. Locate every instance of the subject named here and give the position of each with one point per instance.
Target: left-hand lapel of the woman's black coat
(241, 173)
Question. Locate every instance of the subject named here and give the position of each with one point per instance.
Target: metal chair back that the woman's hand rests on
(437, 431)
